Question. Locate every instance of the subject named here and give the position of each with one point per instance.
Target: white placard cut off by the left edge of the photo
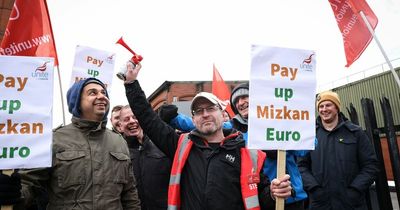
(26, 104)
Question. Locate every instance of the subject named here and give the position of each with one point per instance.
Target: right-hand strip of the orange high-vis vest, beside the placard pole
(251, 165)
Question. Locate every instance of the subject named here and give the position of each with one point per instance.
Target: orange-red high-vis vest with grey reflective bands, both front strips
(251, 163)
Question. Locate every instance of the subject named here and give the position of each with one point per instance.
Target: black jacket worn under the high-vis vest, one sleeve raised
(211, 177)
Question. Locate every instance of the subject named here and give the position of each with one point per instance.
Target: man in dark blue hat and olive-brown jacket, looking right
(91, 168)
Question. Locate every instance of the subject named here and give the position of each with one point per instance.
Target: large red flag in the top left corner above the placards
(28, 31)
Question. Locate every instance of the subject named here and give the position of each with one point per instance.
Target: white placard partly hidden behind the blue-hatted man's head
(90, 62)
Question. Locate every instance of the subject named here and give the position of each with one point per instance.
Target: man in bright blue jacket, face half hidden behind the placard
(239, 102)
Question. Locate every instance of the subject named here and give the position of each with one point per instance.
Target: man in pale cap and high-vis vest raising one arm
(211, 169)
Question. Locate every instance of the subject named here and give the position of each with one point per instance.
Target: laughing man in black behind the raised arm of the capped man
(150, 166)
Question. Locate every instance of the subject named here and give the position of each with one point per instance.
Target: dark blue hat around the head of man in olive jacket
(74, 95)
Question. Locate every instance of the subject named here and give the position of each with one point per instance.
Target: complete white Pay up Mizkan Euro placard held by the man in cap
(282, 99)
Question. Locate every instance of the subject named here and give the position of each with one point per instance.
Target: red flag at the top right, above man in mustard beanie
(356, 36)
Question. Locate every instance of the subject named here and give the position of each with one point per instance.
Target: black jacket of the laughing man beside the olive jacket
(151, 168)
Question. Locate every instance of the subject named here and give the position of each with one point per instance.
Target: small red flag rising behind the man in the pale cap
(221, 90)
